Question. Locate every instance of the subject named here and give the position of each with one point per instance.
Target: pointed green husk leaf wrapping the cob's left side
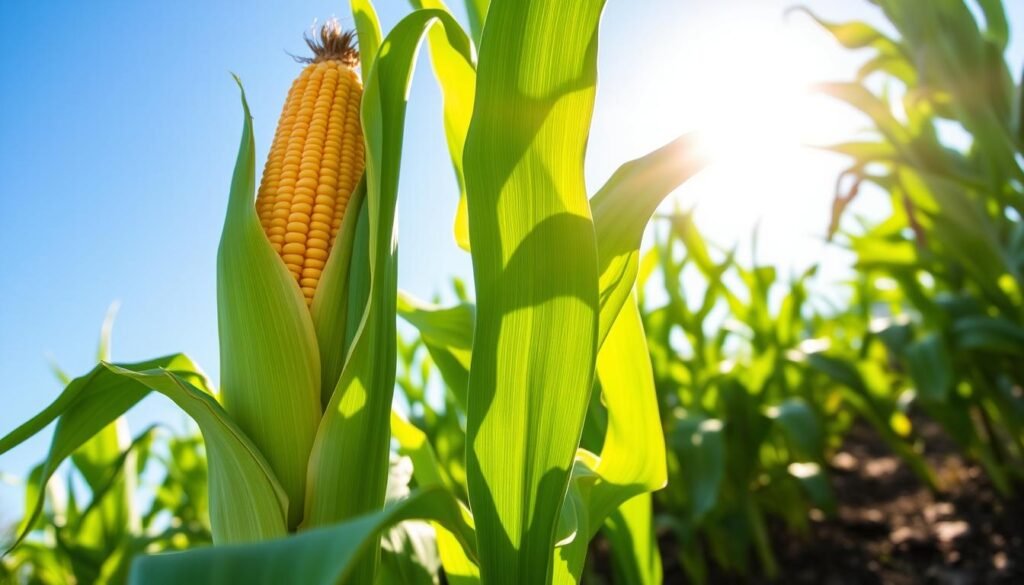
(270, 363)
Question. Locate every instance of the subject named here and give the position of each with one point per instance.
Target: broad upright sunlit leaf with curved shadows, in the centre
(535, 265)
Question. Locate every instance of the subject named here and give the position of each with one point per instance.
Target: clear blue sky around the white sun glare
(119, 127)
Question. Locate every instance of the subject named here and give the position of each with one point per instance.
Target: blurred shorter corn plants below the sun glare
(749, 368)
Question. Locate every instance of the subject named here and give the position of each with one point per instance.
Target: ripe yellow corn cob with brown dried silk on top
(316, 160)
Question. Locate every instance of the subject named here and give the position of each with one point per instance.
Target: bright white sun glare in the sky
(746, 86)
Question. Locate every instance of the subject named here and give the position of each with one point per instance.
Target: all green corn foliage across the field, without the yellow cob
(678, 391)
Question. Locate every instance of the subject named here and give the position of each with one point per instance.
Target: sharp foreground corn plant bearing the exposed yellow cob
(298, 437)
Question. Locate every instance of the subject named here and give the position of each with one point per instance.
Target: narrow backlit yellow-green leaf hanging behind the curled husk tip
(457, 77)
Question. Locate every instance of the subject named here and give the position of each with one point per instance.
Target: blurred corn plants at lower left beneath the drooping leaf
(97, 517)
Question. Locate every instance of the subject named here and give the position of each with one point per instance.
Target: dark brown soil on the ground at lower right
(890, 529)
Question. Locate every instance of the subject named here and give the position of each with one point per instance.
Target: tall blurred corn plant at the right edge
(943, 274)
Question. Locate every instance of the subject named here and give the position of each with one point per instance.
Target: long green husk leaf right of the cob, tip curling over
(350, 462)
